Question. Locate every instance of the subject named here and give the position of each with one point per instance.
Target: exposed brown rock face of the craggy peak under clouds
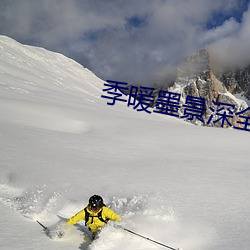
(196, 78)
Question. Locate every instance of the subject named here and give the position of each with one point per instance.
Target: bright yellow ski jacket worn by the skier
(94, 223)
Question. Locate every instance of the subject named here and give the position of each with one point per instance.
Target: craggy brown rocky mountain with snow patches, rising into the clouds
(197, 79)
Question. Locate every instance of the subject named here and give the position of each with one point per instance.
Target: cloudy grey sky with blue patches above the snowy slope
(137, 41)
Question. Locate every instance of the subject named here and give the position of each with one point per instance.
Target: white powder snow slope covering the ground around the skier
(185, 186)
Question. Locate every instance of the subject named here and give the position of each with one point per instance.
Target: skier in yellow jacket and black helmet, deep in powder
(95, 214)
